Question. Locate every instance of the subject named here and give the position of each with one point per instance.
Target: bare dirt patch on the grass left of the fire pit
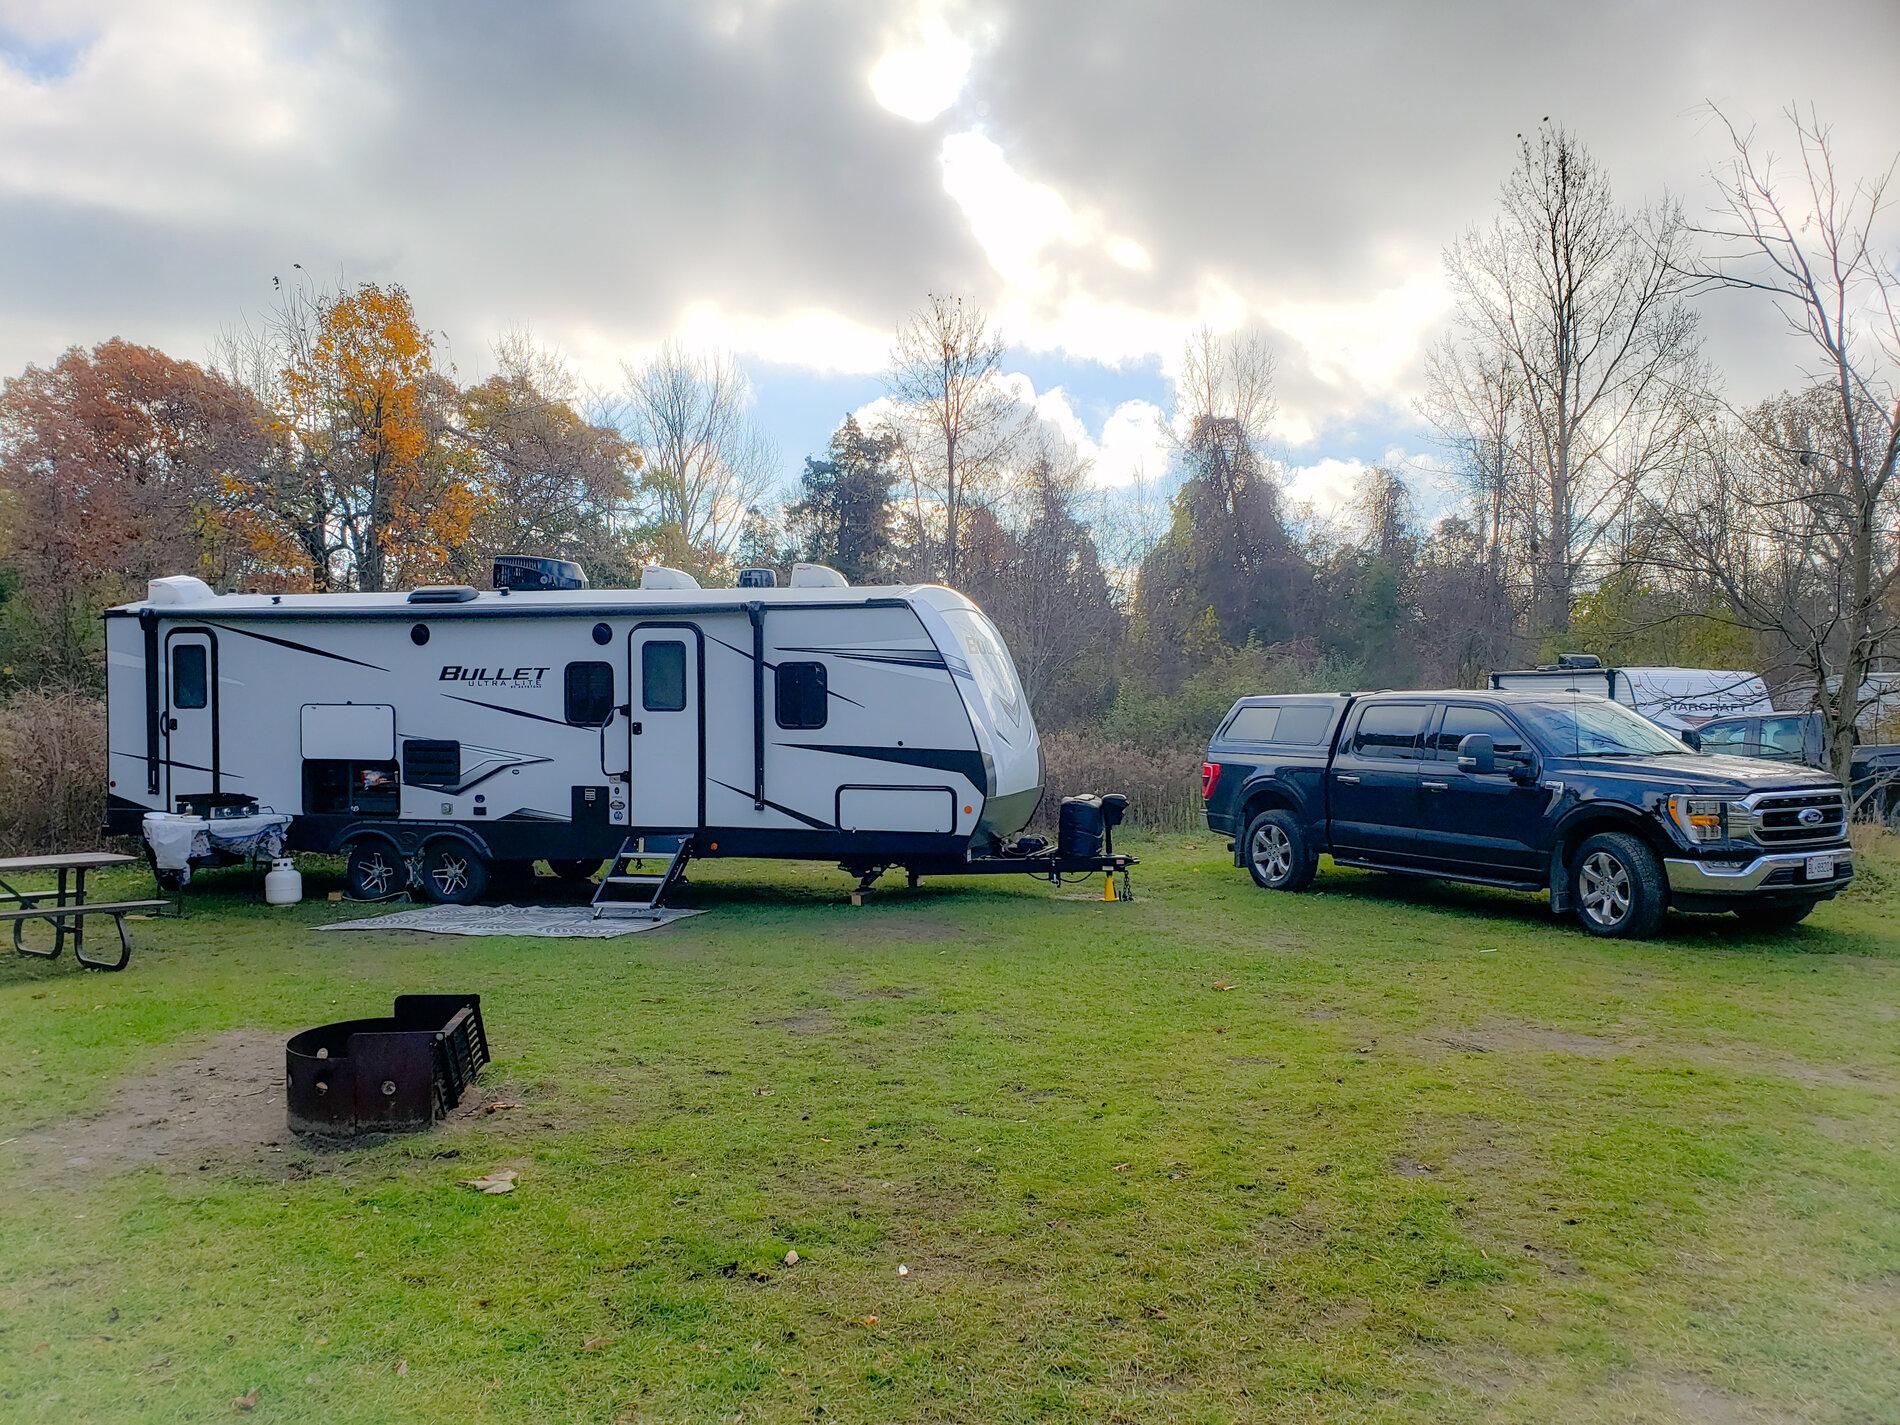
(221, 1107)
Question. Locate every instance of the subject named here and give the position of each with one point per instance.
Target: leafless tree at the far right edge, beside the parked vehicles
(1795, 512)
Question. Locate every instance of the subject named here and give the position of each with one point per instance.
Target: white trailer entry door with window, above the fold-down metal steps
(666, 729)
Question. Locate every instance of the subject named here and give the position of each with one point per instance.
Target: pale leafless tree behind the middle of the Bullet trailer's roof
(704, 461)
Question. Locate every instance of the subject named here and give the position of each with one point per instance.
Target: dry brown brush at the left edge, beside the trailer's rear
(52, 770)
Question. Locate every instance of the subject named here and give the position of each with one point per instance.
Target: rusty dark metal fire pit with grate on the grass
(387, 1074)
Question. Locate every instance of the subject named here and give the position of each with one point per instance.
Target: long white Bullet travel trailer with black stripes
(444, 734)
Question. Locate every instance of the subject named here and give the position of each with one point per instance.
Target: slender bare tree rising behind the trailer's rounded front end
(955, 415)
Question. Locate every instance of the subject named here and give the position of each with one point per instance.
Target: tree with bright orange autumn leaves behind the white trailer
(375, 489)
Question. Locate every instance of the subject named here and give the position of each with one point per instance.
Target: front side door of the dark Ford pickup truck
(1481, 826)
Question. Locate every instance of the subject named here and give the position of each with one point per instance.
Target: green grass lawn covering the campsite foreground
(1386, 1152)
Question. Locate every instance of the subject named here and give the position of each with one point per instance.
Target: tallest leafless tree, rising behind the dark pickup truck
(1574, 307)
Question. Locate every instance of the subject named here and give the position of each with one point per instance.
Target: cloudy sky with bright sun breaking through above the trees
(788, 181)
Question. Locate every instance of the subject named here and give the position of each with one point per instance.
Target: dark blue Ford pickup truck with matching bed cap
(1530, 791)
